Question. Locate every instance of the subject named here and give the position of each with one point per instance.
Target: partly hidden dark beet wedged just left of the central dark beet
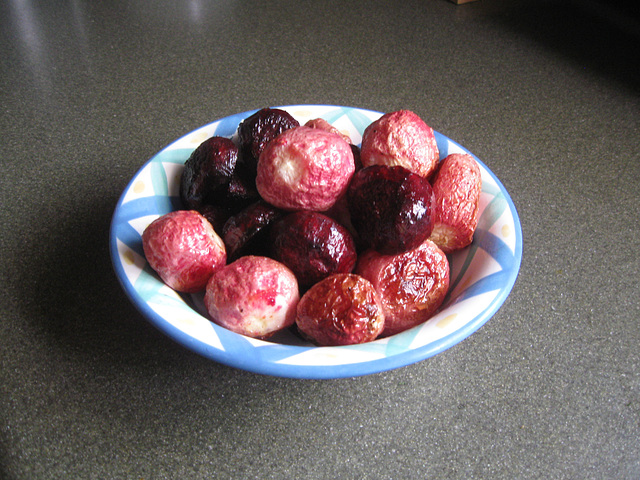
(247, 231)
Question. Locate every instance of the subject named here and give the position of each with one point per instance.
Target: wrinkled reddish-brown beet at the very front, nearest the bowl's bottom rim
(342, 309)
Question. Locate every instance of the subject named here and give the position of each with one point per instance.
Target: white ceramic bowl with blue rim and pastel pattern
(482, 275)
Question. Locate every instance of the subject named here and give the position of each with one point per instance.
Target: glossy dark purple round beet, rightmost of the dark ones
(391, 208)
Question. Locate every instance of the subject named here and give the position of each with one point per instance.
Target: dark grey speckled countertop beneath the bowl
(545, 93)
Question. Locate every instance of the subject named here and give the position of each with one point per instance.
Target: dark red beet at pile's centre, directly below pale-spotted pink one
(313, 246)
